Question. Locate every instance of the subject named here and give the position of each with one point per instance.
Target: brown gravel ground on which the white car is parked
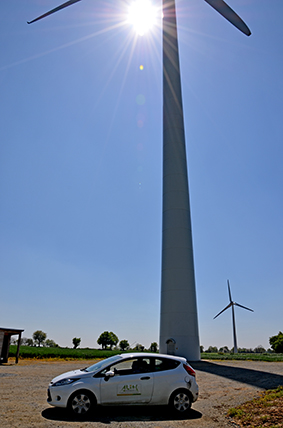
(223, 384)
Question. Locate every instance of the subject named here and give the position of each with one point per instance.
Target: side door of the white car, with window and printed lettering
(132, 383)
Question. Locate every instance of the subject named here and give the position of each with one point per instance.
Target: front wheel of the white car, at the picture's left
(81, 403)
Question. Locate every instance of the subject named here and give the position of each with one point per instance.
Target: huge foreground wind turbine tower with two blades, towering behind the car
(178, 315)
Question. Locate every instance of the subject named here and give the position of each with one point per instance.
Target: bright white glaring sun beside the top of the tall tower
(142, 16)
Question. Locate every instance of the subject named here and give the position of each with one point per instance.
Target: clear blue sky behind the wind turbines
(80, 172)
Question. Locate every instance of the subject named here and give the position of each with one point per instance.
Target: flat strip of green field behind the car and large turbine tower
(88, 353)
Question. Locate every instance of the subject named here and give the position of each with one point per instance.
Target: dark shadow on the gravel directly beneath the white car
(111, 414)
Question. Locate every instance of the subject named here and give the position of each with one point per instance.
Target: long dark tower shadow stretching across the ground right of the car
(257, 378)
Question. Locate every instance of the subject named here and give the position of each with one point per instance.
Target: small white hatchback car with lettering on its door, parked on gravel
(127, 379)
